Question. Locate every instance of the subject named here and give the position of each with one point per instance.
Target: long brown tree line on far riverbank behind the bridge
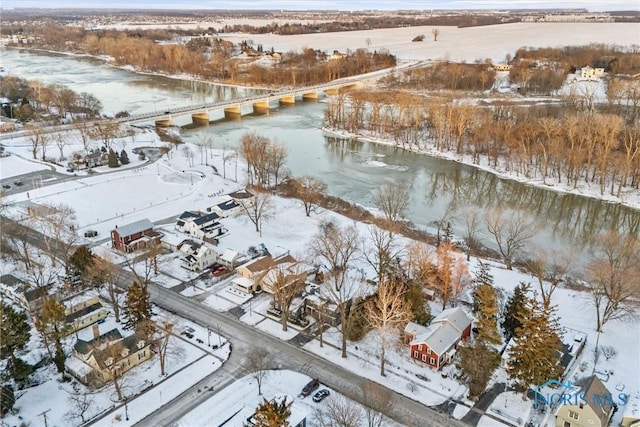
(208, 58)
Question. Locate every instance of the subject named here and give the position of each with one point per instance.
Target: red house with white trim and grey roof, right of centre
(435, 345)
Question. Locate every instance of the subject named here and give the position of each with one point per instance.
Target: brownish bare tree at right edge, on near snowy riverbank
(613, 278)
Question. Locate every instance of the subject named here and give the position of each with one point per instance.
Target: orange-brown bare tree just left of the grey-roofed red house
(387, 314)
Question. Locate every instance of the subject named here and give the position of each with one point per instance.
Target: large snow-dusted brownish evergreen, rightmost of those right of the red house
(533, 358)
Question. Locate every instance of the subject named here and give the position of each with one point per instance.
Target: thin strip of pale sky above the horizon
(593, 5)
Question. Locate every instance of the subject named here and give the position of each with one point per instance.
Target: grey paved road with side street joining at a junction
(243, 339)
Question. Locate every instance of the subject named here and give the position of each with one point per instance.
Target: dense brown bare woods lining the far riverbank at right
(572, 145)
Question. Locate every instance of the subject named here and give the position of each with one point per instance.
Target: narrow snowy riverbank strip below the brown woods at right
(630, 197)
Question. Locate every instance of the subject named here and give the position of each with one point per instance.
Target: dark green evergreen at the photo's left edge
(14, 336)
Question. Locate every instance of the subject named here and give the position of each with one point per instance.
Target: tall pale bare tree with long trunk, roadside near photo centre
(336, 249)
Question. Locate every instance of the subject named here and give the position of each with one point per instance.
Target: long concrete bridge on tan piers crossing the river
(260, 104)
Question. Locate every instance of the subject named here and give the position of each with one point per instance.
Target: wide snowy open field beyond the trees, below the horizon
(455, 44)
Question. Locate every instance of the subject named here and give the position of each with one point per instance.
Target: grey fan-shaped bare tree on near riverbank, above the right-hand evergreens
(510, 233)
